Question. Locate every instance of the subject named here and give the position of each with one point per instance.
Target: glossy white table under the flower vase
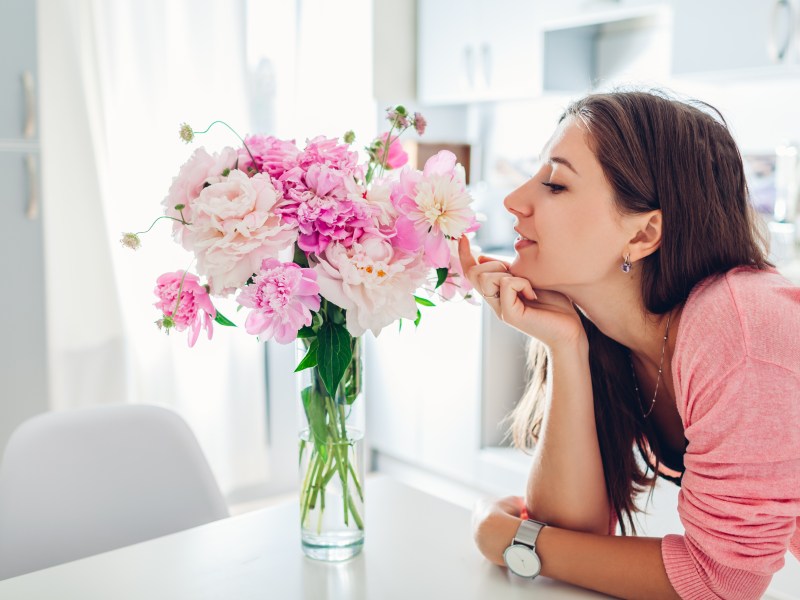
(417, 547)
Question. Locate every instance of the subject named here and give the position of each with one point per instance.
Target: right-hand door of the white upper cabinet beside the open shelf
(508, 50)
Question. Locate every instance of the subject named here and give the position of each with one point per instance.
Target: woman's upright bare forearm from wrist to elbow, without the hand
(566, 485)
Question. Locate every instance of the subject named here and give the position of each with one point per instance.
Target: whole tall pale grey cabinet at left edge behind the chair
(23, 358)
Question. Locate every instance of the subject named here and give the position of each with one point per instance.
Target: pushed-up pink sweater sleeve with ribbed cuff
(740, 493)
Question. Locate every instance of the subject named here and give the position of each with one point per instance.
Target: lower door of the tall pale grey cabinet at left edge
(23, 353)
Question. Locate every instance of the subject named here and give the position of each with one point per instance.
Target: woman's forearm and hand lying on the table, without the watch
(625, 567)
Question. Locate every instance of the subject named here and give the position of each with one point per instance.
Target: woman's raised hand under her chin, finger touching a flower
(548, 316)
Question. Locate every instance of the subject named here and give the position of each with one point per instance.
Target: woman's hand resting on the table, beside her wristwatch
(494, 525)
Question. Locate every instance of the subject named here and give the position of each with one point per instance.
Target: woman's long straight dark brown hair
(657, 153)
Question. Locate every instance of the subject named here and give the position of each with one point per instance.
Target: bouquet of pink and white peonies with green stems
(319, 247)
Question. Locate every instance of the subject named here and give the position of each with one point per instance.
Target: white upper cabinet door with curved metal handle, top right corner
(716, 35)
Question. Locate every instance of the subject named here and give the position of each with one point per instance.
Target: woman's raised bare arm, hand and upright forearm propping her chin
(566, 486)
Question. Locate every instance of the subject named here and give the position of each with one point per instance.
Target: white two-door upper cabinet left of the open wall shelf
(473, 51)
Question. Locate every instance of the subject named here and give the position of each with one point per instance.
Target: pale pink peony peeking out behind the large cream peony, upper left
(188, 183)
